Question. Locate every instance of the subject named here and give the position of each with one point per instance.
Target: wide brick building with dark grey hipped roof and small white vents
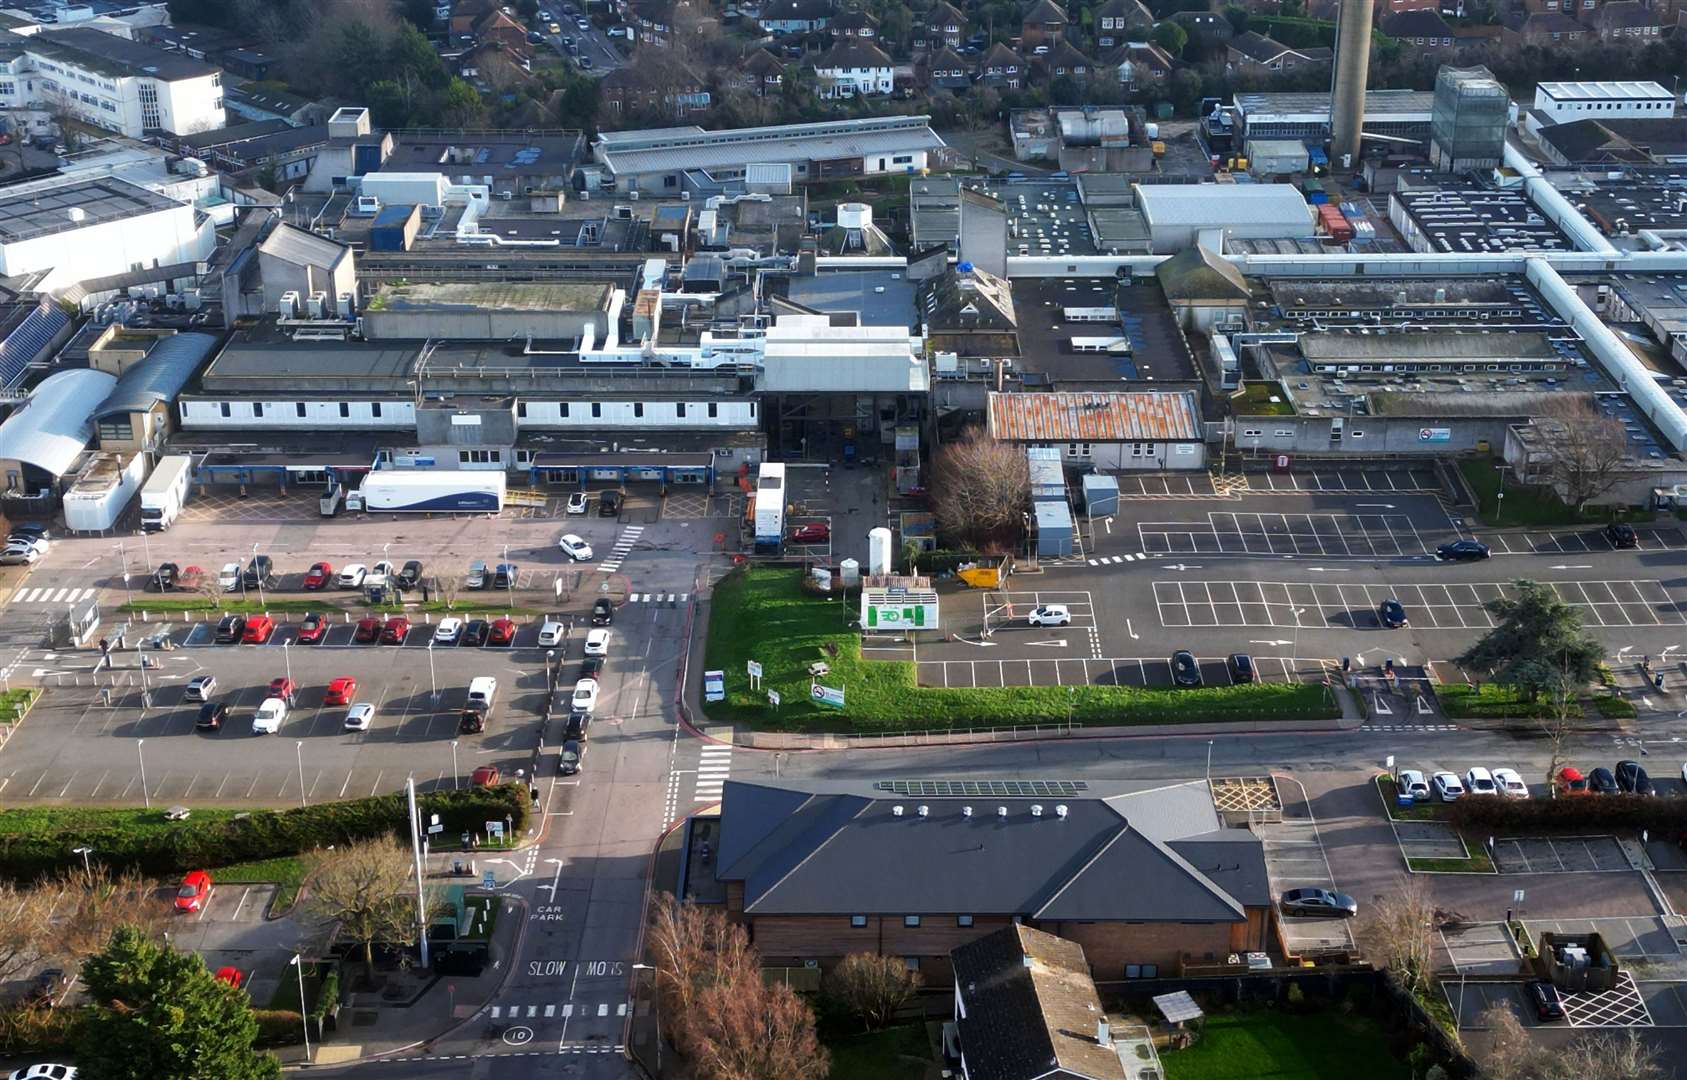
(1143, 875)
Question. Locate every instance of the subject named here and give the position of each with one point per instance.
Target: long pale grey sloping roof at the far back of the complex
(681, 149)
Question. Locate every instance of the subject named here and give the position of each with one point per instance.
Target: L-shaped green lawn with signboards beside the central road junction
(762, 615)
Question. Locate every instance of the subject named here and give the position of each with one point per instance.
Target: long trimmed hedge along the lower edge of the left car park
(38, 843)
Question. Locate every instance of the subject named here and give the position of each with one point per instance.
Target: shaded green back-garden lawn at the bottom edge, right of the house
(1285, 1047)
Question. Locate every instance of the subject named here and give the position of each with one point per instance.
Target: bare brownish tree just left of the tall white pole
(365, 888)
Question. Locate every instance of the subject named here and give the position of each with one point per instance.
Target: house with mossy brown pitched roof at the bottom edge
(1027, 1010)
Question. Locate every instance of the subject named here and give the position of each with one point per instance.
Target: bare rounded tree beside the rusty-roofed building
(979, 490)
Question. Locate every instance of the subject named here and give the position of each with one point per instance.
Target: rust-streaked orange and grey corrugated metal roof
(1096, 418)
